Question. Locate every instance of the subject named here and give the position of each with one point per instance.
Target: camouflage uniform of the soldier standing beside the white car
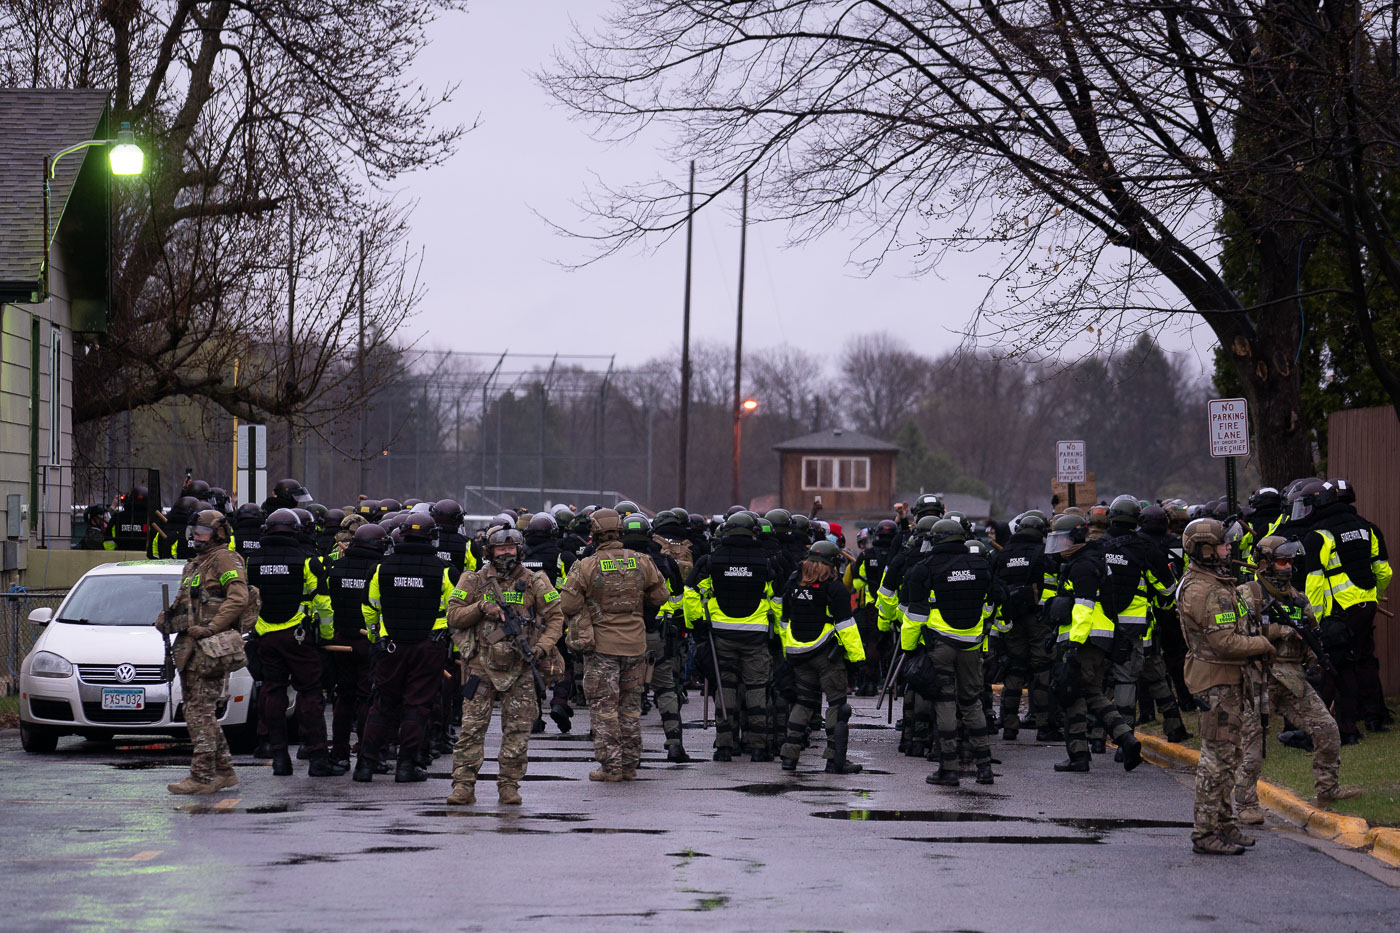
(213, 595)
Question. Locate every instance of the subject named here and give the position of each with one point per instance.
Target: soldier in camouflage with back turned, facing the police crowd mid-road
(608, 599)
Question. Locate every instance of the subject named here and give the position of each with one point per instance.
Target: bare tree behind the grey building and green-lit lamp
(248, 111)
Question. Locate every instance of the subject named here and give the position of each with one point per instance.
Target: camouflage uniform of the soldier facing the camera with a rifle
(499, 670)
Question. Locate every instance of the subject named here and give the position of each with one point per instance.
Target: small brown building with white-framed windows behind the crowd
(853, 474)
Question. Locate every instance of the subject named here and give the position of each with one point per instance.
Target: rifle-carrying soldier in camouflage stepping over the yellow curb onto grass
(1269, 599)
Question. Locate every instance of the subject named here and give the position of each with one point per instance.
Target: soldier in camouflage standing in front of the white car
(212, 599)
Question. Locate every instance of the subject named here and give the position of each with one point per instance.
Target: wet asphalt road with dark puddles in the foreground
(93, 841)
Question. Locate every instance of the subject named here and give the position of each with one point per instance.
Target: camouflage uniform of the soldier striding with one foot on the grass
(1289, 694)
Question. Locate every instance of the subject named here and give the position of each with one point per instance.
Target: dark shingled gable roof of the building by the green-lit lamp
(38, 124)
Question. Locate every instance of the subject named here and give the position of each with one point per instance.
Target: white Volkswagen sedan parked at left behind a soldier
(96, 669)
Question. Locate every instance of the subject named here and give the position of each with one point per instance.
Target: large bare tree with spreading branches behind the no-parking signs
(1095, 145)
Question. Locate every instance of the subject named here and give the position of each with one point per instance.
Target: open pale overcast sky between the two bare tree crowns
(491, 263)
